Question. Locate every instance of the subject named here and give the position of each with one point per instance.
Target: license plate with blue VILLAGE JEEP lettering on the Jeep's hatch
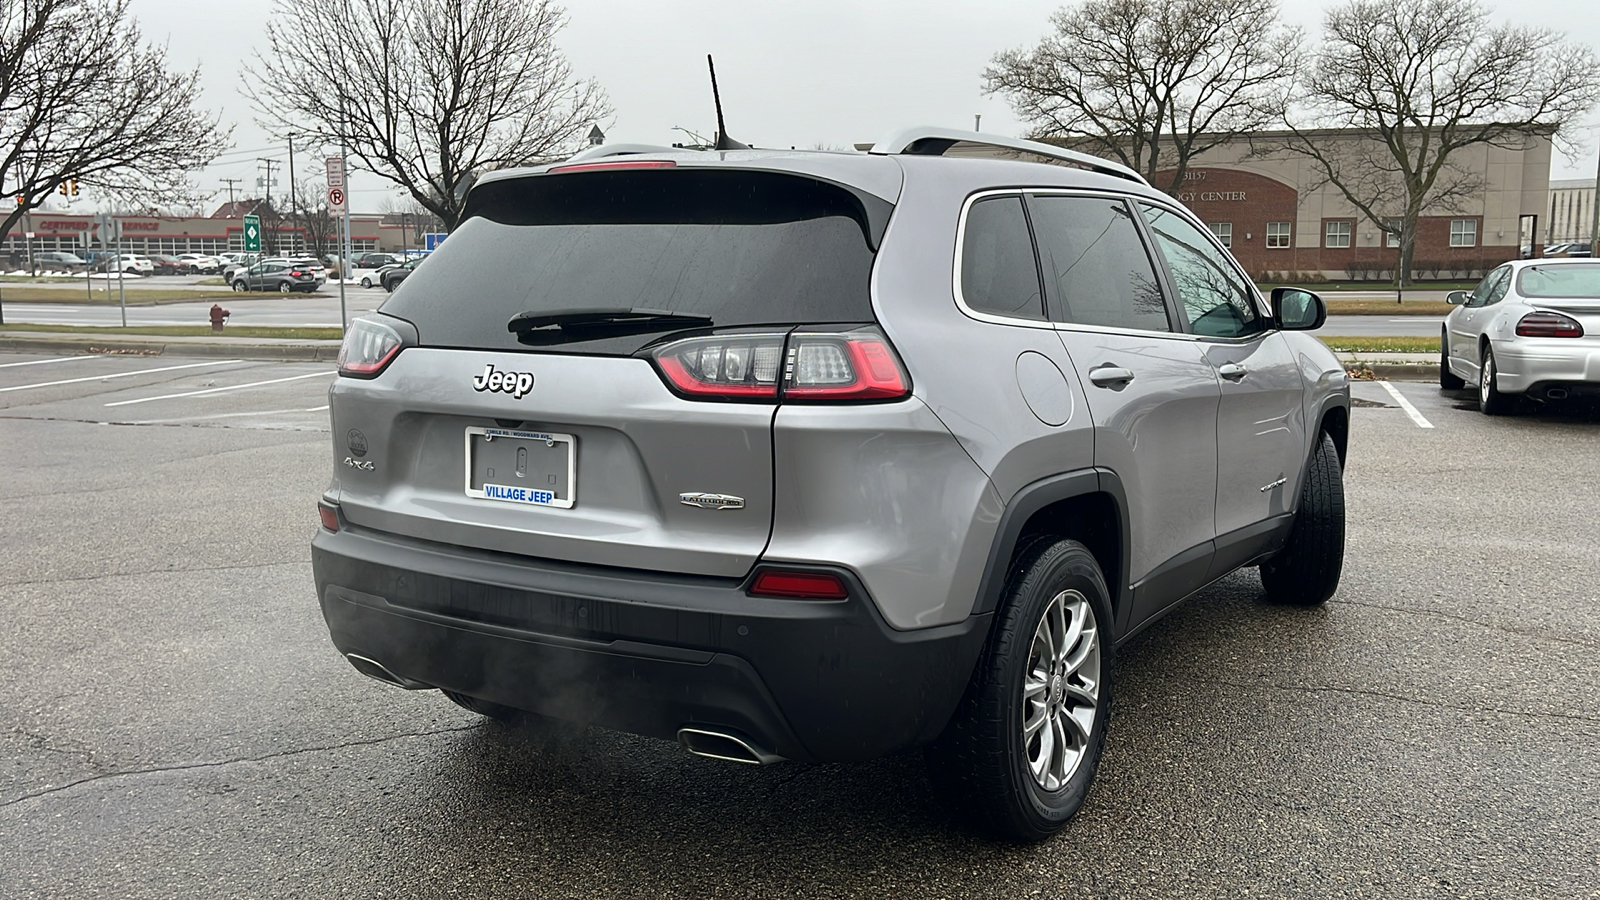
(522, 467)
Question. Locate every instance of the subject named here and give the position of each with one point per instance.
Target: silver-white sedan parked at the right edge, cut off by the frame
(1530, 329)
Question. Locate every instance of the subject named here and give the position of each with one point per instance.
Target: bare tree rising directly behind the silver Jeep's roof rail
(1153, 82)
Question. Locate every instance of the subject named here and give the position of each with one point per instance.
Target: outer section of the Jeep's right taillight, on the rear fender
(844, 366)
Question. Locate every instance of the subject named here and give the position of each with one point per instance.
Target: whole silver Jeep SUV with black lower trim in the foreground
(822, 457)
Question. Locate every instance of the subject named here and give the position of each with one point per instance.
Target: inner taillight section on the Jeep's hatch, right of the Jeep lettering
(724, 368)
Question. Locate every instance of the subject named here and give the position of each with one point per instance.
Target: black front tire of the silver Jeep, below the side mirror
(1306, 573)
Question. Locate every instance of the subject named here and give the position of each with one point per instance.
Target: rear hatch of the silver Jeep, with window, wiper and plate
(529, 414)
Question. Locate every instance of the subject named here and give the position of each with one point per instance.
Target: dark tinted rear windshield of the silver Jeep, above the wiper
(742, 247)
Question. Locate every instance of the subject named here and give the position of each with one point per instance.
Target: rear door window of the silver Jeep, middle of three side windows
(1095, 263)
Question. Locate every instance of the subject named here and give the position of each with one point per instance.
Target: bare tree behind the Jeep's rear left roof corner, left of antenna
(433, 94)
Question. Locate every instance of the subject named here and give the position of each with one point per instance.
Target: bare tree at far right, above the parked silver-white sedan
(1430, 79)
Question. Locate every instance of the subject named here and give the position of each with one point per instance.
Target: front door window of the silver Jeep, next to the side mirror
(1215, 299)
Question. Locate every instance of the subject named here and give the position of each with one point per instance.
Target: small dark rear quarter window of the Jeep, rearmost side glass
(999, 273)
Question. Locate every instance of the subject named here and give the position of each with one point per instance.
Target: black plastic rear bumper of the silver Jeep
(644, 653)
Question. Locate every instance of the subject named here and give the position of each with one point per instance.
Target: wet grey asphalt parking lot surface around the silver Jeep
(177, 723)
